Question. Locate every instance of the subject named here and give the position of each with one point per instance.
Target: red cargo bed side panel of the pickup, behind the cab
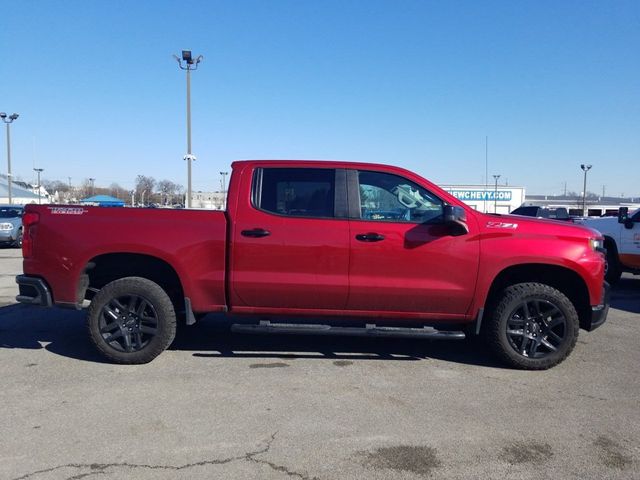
(70, 239)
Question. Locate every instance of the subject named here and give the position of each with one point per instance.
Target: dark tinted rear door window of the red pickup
(296, 192)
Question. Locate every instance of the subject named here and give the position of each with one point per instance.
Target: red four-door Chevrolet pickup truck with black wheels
(373, 250)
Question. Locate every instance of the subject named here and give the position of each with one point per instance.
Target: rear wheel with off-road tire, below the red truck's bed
(154, 304)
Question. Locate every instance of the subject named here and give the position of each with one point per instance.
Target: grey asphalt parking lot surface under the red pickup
(223, 405)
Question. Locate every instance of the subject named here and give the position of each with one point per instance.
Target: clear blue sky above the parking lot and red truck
(418, 84)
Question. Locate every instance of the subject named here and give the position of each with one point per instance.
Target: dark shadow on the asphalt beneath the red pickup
(63, 332)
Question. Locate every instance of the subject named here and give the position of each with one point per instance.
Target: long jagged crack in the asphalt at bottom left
(101, 468)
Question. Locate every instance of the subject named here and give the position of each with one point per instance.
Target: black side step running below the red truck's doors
(370, 330)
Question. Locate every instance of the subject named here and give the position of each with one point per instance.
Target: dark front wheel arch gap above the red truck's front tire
(563, 279)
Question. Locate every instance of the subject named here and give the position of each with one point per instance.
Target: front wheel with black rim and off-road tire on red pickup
(533, 326)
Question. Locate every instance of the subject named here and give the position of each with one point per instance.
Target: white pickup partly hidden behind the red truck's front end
(622, 241)
